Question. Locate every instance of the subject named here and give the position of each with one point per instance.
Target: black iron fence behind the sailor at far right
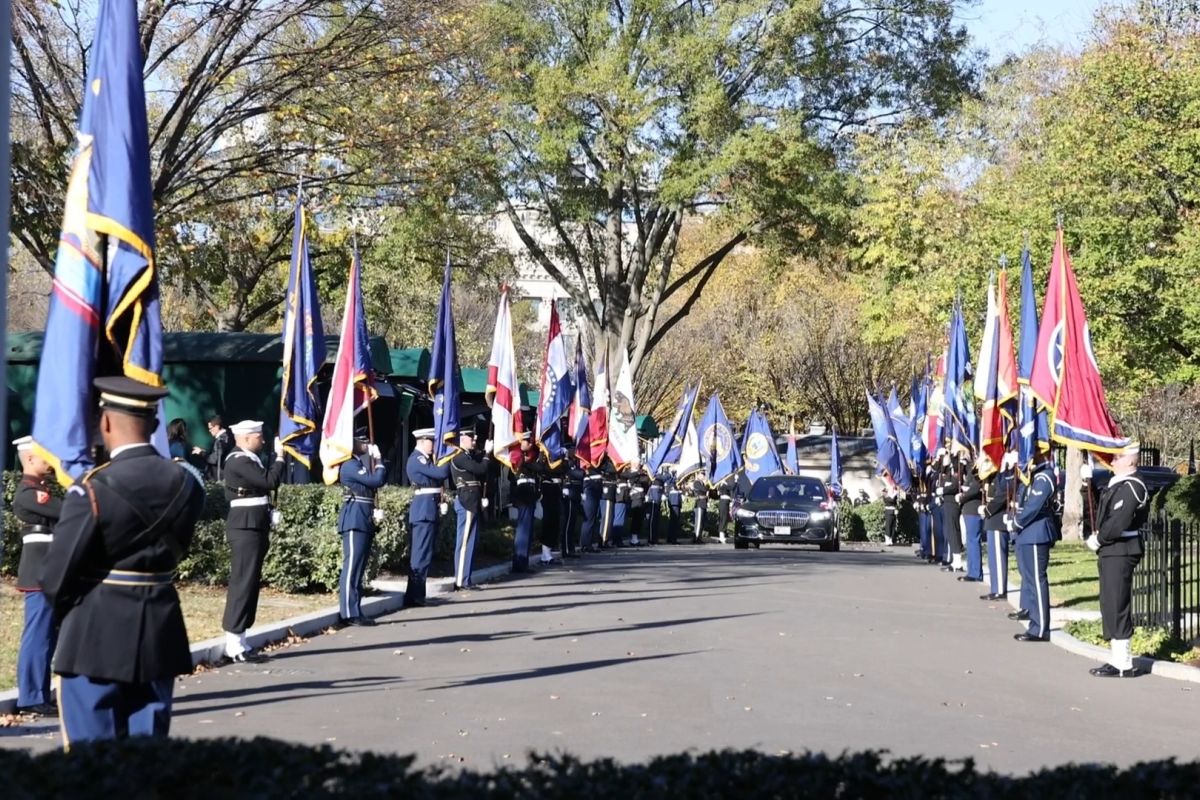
(1167, 584)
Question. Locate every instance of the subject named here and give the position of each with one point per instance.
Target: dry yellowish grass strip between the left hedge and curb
(203, 607)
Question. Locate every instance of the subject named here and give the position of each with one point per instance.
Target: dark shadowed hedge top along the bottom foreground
(268, 769)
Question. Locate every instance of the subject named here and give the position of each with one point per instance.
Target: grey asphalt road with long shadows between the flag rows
(637, 653)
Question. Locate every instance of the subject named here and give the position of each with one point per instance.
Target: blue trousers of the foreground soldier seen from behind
(103, 709)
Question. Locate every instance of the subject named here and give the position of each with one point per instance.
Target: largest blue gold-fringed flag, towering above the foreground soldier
(104, 317)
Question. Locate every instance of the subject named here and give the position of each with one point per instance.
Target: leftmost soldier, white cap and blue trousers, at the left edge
(38, 512)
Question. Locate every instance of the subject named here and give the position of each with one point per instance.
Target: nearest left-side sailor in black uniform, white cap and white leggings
(248, 530)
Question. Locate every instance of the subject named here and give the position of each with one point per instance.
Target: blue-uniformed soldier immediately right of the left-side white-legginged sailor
(361, 478)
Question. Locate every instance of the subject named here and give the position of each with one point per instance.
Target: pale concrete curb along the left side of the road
(211, 651)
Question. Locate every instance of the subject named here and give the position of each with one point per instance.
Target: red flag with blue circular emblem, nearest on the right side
(1066, 377)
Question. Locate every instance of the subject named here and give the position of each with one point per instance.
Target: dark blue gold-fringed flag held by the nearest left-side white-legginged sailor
(304, 350)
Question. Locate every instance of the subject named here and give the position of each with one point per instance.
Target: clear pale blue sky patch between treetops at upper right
(1004, 27)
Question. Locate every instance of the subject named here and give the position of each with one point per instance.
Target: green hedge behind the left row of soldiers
(307, 551)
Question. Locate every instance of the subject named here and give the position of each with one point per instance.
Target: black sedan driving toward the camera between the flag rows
(787, 509)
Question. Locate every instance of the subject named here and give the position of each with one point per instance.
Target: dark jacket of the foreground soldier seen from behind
(129, 522)
